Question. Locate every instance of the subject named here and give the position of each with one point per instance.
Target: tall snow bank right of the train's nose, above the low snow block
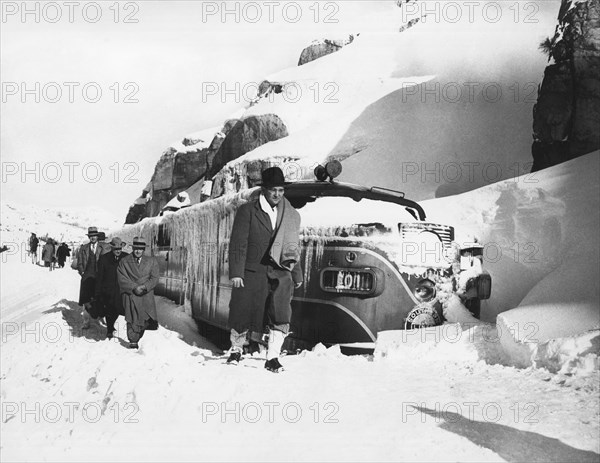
(540, 235)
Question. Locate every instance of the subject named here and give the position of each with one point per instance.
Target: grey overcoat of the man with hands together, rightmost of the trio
(130, 274)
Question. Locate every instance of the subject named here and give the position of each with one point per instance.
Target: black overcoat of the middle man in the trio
(107, 292)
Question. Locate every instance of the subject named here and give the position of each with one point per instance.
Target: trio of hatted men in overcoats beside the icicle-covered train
(115, 283)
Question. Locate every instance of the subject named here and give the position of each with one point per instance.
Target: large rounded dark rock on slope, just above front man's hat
(247, 134)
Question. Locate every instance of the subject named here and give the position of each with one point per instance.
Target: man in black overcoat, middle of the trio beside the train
(107, 293)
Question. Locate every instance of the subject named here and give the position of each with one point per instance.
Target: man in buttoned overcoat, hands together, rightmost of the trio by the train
(137, 275)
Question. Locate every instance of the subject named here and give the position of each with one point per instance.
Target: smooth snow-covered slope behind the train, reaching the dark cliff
(432, 118)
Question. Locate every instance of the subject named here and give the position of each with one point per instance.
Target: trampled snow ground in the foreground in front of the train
(69, 395)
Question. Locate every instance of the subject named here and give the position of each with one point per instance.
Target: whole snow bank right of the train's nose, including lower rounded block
(541, 246)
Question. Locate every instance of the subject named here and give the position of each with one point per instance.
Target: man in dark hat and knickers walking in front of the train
(264, 268)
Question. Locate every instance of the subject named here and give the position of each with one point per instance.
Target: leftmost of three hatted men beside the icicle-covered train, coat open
(87, 265)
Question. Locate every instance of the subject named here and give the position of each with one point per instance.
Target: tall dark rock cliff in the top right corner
(567, 114)
